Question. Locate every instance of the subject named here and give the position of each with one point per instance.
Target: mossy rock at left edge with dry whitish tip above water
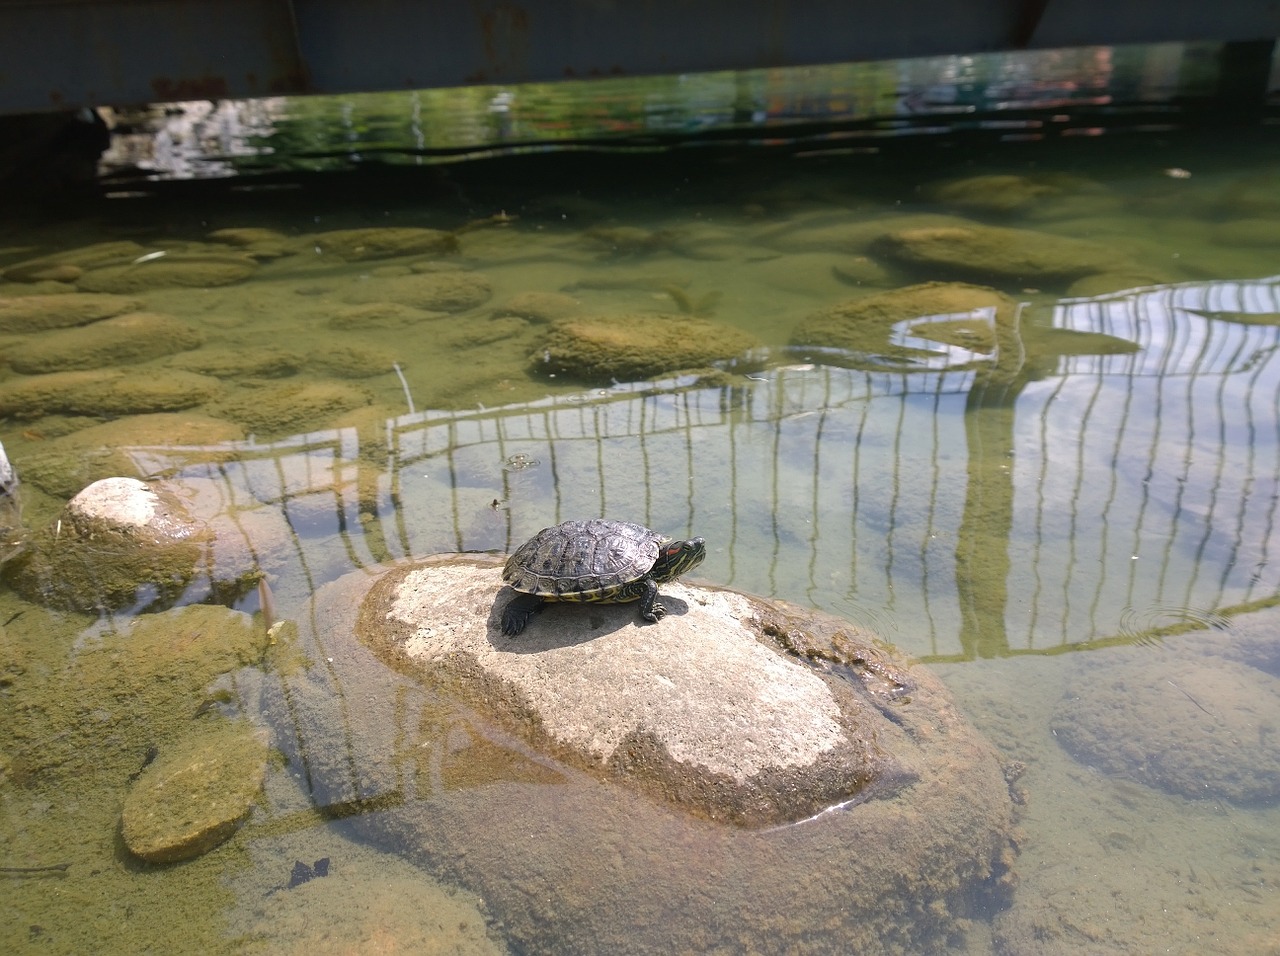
(120, 543)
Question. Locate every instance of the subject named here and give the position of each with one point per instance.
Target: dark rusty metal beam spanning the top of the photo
(63, 54)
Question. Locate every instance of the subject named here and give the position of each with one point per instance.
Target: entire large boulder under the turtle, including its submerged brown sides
(486, 763)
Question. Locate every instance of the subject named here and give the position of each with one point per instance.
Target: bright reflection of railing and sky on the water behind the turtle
(981, 515)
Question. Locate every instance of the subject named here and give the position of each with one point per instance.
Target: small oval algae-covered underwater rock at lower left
(195, 795)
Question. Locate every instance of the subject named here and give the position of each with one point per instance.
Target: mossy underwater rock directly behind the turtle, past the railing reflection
(630, 347)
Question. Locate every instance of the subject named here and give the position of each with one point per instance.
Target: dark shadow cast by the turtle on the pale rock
(570, 624)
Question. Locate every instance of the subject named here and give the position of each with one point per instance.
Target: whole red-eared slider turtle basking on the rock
(595, 561)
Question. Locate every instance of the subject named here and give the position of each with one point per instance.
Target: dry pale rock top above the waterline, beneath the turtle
(702, 708)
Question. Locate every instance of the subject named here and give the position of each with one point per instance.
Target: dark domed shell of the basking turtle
(586, 561)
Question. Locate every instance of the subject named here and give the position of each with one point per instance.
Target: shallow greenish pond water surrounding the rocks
(985, 507)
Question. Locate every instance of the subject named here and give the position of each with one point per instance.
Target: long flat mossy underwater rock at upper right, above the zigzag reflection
(993, 253)
